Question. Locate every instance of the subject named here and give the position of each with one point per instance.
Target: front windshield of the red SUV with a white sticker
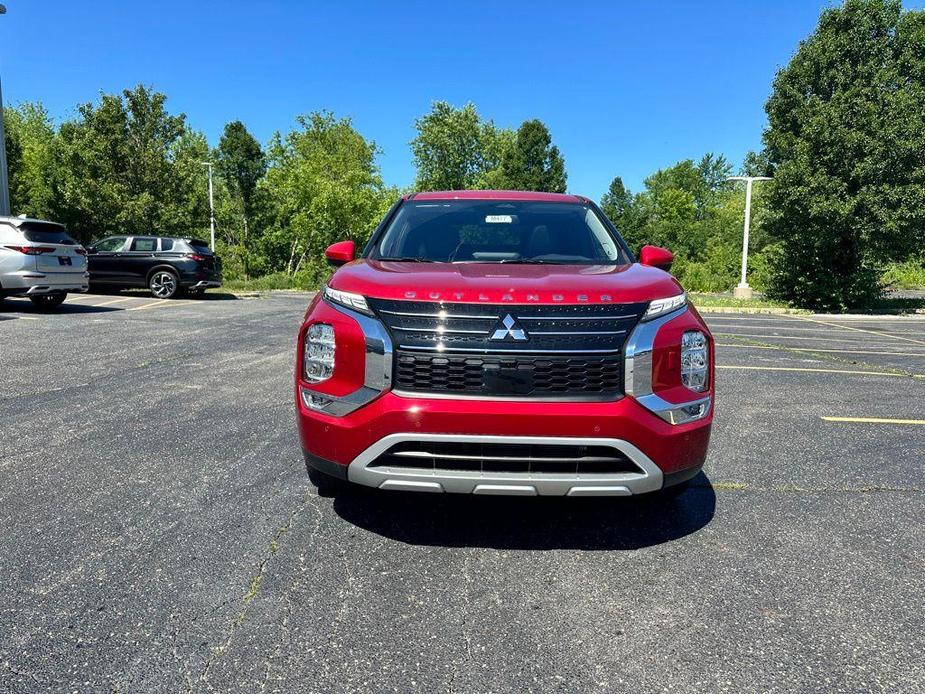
(492, 231)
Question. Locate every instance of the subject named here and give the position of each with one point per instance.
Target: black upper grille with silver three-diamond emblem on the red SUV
(532, 351)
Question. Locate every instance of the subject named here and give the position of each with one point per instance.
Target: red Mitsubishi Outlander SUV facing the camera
(499, 342)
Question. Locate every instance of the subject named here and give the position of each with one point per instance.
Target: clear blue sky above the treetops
(625, 87)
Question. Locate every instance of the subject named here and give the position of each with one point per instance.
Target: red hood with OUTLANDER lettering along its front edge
(496, 283)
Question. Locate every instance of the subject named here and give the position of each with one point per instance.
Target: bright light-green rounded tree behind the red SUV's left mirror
(324, 186)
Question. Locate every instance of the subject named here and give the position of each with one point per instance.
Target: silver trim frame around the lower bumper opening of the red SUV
(648, 479)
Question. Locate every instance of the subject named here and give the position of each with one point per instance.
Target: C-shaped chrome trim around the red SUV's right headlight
(637, 374)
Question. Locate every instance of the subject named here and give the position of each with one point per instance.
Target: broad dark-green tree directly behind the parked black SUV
(126, 165)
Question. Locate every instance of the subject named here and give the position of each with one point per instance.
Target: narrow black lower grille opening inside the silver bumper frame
(523, 458)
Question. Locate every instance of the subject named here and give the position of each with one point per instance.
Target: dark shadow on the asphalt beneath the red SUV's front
(529, 523)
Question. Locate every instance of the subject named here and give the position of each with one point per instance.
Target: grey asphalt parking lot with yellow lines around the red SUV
(158, 531)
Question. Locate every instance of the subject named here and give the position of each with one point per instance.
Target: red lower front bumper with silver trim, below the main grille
(660, 450)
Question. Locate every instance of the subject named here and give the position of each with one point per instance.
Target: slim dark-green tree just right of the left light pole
(241, 163)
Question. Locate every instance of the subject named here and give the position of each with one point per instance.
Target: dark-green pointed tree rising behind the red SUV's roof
(532, 162)
